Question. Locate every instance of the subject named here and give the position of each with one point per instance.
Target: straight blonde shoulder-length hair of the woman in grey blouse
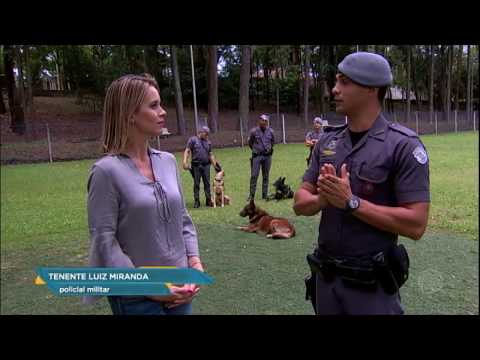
(124, 97)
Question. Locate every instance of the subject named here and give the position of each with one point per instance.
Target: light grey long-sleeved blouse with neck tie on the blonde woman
(134, 221)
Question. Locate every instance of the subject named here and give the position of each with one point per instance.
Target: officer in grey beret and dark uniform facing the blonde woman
(370, 179)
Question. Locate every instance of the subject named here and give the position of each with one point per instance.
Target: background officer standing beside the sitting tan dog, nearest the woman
(200, 149)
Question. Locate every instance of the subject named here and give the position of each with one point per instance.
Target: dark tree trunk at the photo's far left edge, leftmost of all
(15, 102)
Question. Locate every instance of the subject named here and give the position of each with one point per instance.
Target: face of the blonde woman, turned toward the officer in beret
(150, 116)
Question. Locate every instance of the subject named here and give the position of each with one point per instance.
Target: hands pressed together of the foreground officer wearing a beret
(335, 189)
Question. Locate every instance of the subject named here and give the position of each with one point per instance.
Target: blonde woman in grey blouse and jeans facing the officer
(136, 210)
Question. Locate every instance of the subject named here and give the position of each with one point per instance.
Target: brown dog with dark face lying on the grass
(262, 222)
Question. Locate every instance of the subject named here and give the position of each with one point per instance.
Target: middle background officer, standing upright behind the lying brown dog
(260, 140)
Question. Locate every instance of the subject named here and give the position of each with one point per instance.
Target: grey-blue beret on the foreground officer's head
(367, 69)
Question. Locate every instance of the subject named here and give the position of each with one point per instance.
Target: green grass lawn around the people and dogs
(43, 223)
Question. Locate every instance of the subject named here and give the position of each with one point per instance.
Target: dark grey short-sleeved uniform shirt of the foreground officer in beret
(388, 166)
